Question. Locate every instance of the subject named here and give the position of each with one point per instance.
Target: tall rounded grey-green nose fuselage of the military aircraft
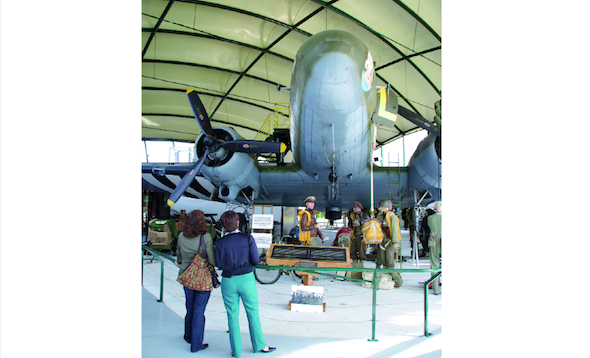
(330, 106)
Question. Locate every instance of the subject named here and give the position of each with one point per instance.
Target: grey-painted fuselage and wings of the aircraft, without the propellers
(333, 98)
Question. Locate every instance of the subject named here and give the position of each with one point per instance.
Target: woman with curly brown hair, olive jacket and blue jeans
(189, 241)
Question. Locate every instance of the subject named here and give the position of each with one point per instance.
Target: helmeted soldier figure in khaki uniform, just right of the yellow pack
(386, 252)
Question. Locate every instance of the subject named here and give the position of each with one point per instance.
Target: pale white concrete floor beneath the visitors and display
(343, 330)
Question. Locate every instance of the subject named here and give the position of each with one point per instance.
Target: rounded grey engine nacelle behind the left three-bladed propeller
(229, 171)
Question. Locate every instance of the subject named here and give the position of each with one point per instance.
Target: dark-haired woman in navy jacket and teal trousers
(236, 253)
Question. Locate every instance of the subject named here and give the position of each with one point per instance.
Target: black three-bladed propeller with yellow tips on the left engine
(213, 144)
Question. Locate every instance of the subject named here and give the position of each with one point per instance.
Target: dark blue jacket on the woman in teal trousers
(236, 254)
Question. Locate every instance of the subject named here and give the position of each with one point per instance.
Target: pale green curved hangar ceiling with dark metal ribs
(236, 52)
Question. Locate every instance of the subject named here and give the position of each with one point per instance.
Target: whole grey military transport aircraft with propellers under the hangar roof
(334, 108)
